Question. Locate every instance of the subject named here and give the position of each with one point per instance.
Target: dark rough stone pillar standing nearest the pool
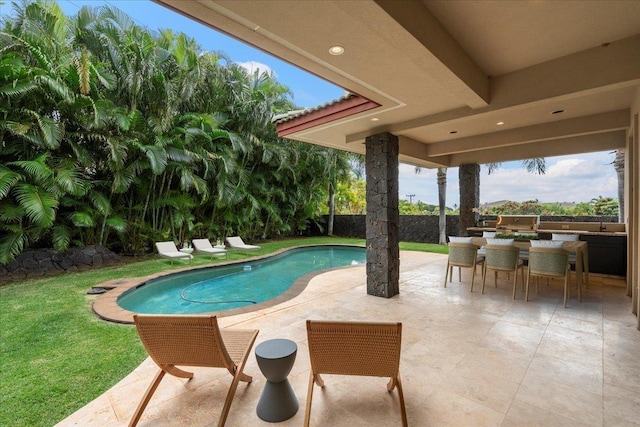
(383, 253)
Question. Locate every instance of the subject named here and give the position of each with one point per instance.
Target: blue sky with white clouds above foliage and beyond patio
(576, 178)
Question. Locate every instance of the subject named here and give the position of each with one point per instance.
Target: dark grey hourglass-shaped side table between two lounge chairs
(278, 401)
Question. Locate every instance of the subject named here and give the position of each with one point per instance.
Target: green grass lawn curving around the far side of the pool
(56, 355)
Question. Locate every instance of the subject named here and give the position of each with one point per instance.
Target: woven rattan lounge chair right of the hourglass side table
(354, 348)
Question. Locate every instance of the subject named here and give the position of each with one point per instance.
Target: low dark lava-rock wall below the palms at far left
(44, 262)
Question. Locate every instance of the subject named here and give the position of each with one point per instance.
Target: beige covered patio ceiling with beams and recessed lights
(438, 67)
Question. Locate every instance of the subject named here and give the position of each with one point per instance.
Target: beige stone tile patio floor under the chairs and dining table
(468, 359)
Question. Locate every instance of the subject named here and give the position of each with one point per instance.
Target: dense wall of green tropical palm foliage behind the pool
(114, 135)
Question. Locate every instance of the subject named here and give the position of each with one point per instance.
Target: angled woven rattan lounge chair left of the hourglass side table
(193, 341)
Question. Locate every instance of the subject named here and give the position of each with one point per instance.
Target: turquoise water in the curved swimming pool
(233, 286)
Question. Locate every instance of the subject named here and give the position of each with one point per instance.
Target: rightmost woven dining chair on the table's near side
(549, 263)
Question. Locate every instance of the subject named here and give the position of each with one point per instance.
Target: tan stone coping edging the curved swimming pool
(106, 306)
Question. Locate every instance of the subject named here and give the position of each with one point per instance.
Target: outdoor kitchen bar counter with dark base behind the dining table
(607, 241)
